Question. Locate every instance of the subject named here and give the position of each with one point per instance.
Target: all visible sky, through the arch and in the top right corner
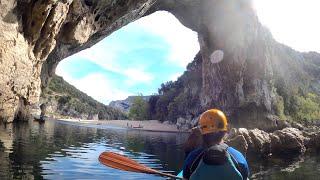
(152, 50)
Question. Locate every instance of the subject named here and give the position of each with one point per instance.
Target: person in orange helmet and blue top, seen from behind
(215, 159)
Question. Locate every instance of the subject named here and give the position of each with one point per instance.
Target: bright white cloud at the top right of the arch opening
(183, 42)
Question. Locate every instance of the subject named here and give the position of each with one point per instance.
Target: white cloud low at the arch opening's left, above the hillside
(96, 85)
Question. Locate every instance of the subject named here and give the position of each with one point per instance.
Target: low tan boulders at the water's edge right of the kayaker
(288, 141)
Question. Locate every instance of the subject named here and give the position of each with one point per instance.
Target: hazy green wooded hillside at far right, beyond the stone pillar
(298, 92)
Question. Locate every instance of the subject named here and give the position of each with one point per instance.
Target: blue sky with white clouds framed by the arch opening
(135, 59)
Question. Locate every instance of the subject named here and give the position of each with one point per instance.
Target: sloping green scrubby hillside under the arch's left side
(69, 101)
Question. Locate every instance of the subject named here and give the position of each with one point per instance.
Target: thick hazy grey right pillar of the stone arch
(242, 80)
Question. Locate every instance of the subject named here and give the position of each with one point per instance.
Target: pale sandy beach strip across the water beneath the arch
(147, 125)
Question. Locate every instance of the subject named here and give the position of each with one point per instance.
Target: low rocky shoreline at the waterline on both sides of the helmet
(281, 138)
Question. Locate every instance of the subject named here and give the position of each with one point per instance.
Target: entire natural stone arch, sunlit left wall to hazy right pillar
(36, 35)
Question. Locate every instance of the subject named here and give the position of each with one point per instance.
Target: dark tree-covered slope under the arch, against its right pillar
(179, 98)
